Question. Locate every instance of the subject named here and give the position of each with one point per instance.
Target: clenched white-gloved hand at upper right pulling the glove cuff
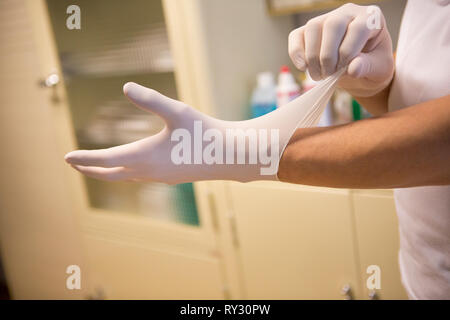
(353, 36)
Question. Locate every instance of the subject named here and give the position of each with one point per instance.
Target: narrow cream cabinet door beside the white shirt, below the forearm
(378, 242)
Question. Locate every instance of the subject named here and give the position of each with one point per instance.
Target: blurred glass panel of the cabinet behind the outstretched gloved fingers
(119, 42)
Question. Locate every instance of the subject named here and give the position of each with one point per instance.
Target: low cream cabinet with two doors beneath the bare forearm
(300, 242)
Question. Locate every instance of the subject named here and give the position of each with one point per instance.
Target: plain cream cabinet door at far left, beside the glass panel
(38, 228)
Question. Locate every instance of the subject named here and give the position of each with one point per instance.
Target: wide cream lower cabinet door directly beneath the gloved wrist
(294, 242)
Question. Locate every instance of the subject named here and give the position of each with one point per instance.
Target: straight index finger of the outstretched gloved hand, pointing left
(112, 157)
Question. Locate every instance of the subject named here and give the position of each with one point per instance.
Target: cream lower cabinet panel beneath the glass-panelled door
(122, 270)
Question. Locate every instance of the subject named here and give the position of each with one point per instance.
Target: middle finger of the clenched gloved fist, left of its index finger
(333, 31)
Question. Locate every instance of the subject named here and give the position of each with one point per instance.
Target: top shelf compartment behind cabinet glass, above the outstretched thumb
(121, 40)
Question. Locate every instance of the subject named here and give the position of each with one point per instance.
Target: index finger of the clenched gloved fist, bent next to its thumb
(354, 41)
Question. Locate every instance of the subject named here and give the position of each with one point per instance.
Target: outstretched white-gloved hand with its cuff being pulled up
(194, 146)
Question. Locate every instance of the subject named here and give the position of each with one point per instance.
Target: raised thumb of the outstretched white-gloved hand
(153, 101)
